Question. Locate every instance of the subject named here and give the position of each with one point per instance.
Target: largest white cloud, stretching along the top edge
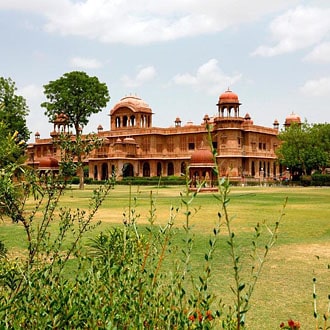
(144, 21)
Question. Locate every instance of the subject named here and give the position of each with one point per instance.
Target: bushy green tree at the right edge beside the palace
(304, 147)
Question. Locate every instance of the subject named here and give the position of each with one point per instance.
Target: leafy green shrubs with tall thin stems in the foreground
(128, 277)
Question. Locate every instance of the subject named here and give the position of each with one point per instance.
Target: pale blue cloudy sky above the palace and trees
(179, 56)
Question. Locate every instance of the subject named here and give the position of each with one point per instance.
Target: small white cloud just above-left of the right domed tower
(208, 77)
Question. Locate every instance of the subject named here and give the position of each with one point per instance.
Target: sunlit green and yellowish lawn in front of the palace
(302, 251)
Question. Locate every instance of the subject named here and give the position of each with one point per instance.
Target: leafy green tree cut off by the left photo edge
(13, 110)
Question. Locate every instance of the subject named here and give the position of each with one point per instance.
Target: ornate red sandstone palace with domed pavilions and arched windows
(133, 147)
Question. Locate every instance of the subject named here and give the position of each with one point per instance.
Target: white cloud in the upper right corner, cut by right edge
(297, 29)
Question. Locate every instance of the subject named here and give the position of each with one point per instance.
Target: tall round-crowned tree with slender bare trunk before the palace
(77, 96)
